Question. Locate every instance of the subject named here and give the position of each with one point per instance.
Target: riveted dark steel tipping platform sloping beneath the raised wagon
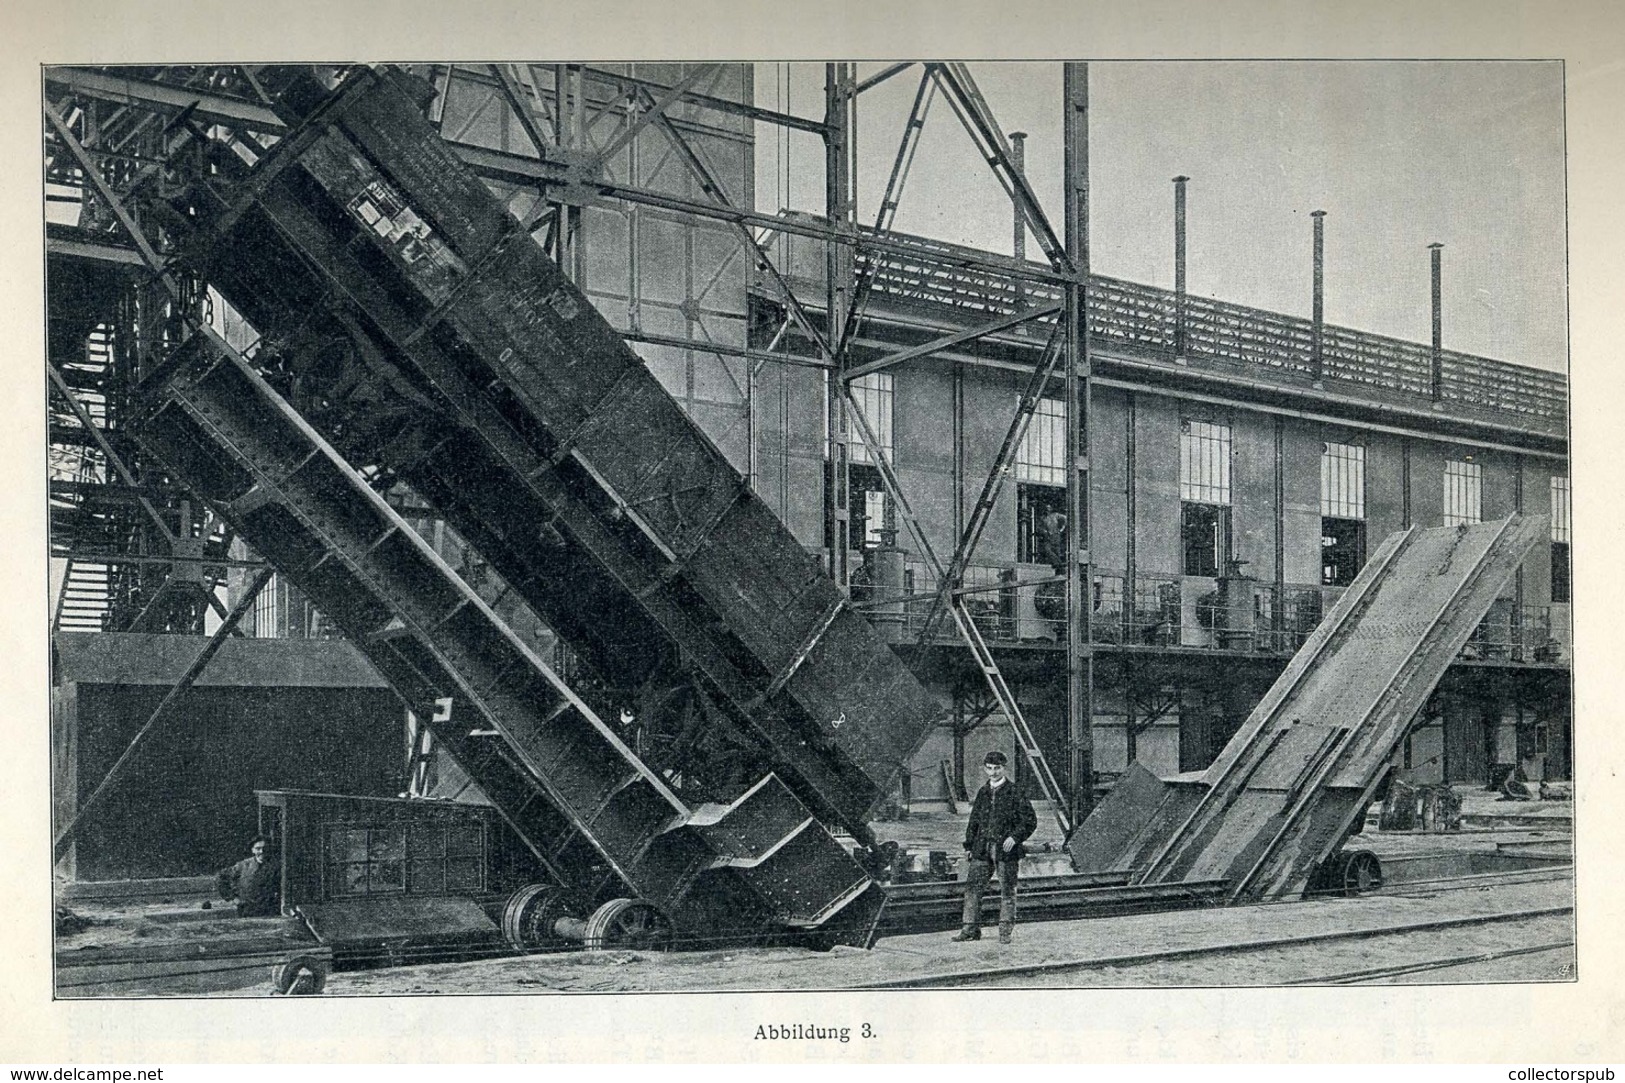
(592, 812)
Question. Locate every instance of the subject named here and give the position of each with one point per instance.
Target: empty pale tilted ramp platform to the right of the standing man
(1298, 778)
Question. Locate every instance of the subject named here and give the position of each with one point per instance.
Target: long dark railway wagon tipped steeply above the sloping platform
(422, 329)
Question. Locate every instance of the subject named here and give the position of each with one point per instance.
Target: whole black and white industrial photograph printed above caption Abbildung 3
(807, 524)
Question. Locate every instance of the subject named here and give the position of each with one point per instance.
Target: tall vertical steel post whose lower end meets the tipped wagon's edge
(838, 297)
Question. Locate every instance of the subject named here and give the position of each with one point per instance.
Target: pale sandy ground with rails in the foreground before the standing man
(1065, 954)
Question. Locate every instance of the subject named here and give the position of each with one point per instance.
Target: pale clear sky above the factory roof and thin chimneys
(1398, 155)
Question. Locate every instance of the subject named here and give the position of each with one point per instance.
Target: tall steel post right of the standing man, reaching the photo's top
(1080, 570)
